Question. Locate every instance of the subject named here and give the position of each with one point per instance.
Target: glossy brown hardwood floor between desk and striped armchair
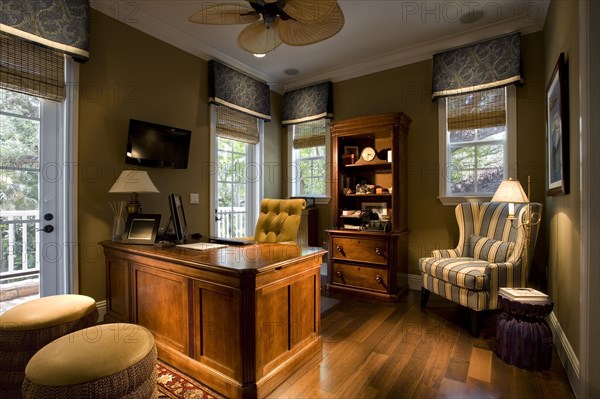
(375, 350)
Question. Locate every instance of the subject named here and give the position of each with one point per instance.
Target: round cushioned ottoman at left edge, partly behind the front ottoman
(26, 328)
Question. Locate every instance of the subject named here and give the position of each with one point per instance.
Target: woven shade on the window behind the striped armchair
(477, 110)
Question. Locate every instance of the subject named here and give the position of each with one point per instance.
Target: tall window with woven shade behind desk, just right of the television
(237, 181)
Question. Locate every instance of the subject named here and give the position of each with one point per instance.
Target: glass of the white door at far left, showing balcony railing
(20, 124)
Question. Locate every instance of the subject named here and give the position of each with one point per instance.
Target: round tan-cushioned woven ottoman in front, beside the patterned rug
(106, 361)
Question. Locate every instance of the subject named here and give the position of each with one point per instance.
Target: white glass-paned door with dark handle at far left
(32, 177)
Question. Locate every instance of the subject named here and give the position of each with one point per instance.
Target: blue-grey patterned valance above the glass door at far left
(58, 24)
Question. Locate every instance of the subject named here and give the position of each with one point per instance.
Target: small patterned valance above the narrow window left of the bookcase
(307, 104)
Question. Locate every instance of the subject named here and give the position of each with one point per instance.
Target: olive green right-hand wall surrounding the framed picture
(561, 35)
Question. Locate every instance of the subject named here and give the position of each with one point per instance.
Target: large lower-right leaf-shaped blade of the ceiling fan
(297, 33)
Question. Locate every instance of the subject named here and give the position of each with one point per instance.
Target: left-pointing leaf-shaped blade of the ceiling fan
(225, 14)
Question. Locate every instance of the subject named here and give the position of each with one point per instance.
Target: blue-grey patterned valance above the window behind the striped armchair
(478, 66)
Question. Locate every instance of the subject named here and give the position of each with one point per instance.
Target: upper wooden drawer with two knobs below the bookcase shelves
(360, 249)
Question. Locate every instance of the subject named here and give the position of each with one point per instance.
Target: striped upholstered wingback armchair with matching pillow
(491, 253)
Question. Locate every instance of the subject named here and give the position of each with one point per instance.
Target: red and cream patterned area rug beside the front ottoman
(175, 385)
